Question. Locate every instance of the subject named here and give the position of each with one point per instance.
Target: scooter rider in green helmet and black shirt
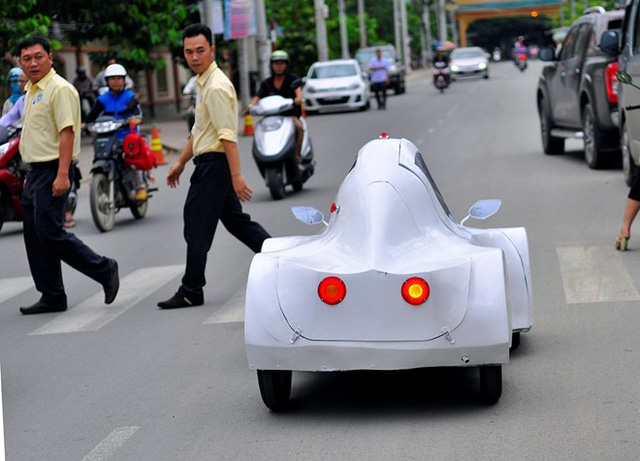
(285, 84)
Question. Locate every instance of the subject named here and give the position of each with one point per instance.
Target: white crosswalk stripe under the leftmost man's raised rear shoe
(92, 314)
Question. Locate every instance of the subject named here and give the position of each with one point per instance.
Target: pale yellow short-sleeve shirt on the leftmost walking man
(50, 105)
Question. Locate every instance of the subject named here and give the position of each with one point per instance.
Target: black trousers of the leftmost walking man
(48, 243)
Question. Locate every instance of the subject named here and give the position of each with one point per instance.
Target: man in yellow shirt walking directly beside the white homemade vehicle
(217, 184)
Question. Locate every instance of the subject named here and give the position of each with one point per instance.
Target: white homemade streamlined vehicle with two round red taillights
(393, 282)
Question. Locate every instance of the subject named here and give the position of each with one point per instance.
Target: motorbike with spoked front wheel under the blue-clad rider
(114, 184)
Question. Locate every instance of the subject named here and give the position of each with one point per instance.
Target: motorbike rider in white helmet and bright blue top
(119, 103)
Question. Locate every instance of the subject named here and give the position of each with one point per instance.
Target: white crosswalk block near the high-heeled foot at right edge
(595, 274)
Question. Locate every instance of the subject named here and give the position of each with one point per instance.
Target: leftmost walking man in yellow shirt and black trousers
(50, 141)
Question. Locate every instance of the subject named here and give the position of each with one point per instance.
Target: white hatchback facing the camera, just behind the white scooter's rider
(335, 85)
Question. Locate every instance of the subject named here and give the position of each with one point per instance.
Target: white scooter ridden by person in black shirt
(274, 143)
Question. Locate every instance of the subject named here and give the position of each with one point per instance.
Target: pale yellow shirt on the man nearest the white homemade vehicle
(216, 112)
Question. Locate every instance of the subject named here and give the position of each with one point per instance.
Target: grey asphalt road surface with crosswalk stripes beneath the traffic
(131, 382)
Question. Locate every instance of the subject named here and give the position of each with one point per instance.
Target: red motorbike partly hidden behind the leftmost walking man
(13, 172)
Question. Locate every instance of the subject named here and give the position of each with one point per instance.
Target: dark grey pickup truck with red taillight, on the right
(577, 91)
